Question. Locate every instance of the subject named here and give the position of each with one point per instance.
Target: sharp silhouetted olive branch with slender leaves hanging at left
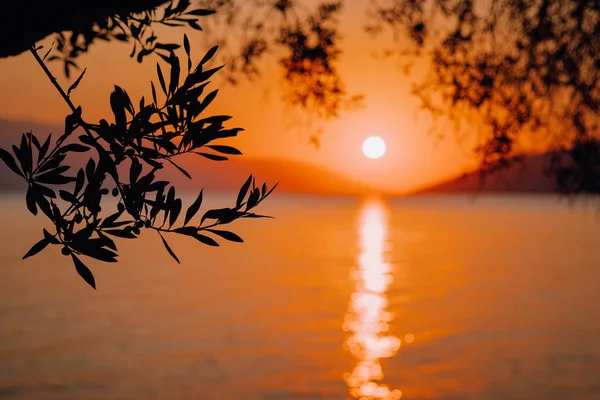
(143, 139)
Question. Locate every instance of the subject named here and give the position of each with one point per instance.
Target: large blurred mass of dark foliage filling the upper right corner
(511, 68)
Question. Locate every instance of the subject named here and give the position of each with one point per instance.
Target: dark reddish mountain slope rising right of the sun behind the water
(525, 177)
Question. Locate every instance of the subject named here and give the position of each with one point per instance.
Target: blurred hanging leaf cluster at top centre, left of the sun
(303, 39)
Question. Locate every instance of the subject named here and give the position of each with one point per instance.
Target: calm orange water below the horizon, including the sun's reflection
(335, 299)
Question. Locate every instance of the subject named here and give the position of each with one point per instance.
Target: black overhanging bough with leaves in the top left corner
(78, 26)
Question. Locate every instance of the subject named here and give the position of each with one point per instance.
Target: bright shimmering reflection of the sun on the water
(368, 320)
